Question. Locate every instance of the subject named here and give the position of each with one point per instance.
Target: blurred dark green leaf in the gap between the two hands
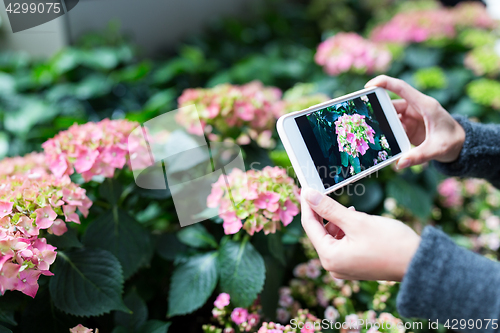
(411, 196)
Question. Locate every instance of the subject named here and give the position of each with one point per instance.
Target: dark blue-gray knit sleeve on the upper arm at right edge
(480, 155)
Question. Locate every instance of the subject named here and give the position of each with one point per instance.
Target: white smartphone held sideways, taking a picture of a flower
(340, 141)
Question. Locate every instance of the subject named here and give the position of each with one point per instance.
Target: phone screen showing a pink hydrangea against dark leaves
(347, 138)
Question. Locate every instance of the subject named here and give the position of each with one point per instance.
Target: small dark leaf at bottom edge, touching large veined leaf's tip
(132, 321)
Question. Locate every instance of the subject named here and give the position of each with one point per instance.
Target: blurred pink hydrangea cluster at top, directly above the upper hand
(416, 27)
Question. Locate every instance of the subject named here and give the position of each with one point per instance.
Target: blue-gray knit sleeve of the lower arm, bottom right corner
(445, 281)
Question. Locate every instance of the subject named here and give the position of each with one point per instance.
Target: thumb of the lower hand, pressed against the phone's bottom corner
(331, 210)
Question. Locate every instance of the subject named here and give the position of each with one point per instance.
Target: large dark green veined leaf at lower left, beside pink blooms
(87, 282)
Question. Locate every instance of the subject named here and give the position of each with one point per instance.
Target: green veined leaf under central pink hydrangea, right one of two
(242, 272)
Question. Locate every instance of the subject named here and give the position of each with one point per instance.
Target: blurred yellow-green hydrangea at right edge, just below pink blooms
(483, 61)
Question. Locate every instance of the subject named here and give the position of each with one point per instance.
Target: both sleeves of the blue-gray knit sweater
(444, 281)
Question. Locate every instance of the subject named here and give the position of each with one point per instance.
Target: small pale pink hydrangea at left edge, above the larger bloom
(32, 164)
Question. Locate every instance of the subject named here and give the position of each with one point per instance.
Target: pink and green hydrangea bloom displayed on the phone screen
(353, 134)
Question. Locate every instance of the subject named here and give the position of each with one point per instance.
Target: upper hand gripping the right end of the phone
(436, 135)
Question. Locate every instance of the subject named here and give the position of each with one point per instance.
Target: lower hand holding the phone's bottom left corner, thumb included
(354, 245)
